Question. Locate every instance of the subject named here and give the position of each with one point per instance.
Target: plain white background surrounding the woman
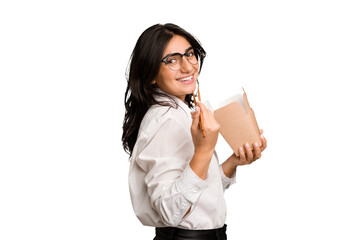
(63, 172)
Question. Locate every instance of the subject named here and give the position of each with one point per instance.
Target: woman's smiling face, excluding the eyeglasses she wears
(183, 81)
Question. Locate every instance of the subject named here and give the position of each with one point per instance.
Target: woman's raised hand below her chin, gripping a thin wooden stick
(204, 145)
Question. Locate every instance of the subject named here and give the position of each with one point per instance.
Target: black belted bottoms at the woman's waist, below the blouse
(172, 233)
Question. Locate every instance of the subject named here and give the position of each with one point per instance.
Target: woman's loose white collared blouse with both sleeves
(162, 185)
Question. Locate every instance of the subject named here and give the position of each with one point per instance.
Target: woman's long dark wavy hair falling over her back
(144, 66)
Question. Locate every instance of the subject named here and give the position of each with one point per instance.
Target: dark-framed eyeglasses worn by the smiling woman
(175, 60)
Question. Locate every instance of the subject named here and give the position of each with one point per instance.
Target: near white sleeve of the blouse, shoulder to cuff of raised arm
(172, 186)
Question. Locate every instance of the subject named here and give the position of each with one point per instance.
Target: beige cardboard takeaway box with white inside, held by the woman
(237, 122)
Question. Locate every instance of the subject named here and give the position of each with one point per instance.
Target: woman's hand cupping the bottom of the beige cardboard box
(248, 156)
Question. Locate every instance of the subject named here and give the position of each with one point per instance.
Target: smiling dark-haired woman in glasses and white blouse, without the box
(176, 182)
